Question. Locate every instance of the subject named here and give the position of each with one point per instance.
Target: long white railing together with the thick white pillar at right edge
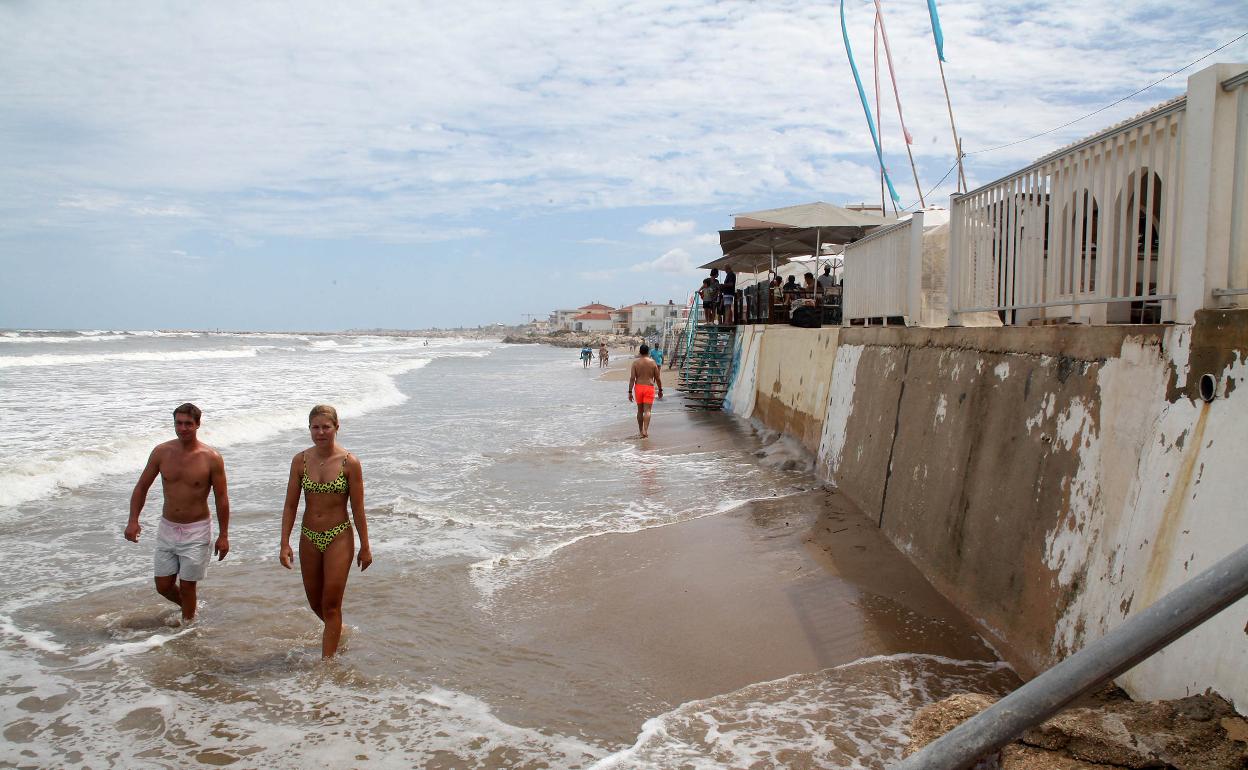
(1143, 223)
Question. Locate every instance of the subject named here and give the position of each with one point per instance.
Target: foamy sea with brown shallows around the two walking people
(482, 462)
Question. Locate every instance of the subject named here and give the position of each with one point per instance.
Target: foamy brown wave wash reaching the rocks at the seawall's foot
(853, 716)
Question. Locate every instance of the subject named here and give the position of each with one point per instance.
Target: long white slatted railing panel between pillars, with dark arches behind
(1093, 225)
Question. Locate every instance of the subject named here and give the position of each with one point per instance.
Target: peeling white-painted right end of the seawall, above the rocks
(1160, 496)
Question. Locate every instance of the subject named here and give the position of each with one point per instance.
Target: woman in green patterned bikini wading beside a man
(329, 477)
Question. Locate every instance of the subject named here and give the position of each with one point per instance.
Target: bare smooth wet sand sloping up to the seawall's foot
(798, 583)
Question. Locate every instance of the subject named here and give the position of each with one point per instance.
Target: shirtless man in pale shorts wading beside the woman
(188, 470)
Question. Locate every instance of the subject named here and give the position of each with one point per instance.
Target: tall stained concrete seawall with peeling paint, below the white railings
(1049, 481)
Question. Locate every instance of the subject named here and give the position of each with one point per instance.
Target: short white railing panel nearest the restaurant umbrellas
(883, 274)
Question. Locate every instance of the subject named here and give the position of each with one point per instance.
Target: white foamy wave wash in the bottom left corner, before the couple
(123, 721)
